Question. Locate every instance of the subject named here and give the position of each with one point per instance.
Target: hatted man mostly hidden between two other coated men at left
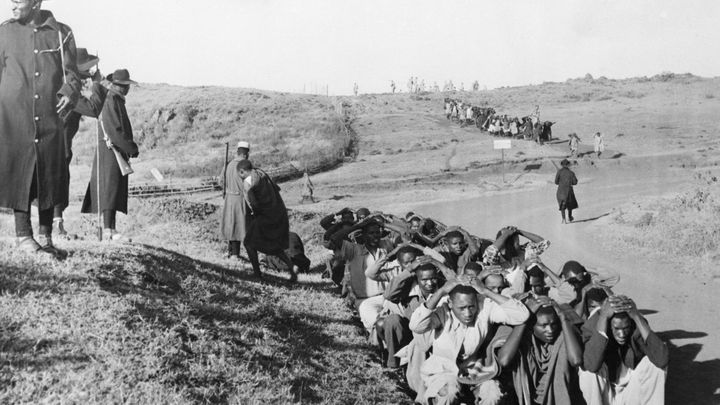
(86, 106)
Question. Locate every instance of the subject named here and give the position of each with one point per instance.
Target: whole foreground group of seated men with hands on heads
(470, 320)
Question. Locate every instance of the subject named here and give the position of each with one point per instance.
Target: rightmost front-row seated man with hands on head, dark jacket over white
(624, 360)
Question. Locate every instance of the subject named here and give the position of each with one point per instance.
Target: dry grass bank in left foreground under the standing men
(168, 320)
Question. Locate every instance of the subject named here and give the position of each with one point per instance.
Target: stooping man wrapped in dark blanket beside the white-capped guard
(268, 226)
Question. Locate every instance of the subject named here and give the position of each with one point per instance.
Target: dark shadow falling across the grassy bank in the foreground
(190, 297)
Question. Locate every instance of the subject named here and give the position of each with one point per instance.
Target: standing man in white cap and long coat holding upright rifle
(233, 227)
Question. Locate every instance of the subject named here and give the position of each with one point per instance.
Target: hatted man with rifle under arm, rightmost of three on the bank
(114, 133)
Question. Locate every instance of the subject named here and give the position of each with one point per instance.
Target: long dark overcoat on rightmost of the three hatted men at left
(113, 185)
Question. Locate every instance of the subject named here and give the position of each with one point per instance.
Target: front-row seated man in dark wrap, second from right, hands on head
(544, 354)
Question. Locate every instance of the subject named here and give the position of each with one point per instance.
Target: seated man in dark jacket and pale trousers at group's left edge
(365, 294)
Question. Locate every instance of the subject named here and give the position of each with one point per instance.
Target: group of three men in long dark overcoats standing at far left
(47, 86)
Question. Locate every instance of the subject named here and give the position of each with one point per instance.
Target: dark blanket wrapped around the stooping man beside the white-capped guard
(267, 221)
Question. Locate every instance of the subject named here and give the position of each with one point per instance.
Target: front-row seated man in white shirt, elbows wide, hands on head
(459, 328)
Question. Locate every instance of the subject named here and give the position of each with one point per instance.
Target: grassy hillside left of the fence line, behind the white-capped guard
(182, 130)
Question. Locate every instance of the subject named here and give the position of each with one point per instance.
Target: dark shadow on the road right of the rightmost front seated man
(690, 381)
